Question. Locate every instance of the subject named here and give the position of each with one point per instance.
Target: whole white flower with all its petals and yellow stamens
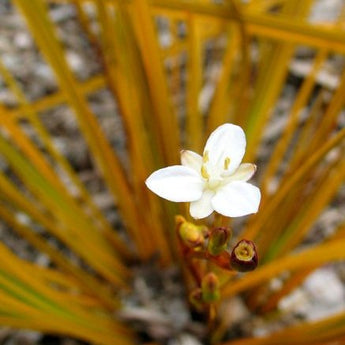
(217, 181)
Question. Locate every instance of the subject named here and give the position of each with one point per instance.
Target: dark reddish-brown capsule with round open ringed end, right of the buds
(244, 257)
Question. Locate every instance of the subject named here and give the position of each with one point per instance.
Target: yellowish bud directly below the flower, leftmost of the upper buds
(193, 236)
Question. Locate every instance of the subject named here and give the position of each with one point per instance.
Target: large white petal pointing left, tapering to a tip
(176, 183)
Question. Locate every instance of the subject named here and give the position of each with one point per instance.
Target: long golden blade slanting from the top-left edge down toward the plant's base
(106, 159)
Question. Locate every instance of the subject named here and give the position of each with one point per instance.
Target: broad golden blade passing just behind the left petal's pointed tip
(128, 84)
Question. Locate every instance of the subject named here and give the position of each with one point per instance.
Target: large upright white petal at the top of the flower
(227, 141)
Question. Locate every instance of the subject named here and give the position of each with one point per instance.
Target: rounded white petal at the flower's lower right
(237, 199)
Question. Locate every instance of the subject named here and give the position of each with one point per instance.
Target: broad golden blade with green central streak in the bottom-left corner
(27, 294)
